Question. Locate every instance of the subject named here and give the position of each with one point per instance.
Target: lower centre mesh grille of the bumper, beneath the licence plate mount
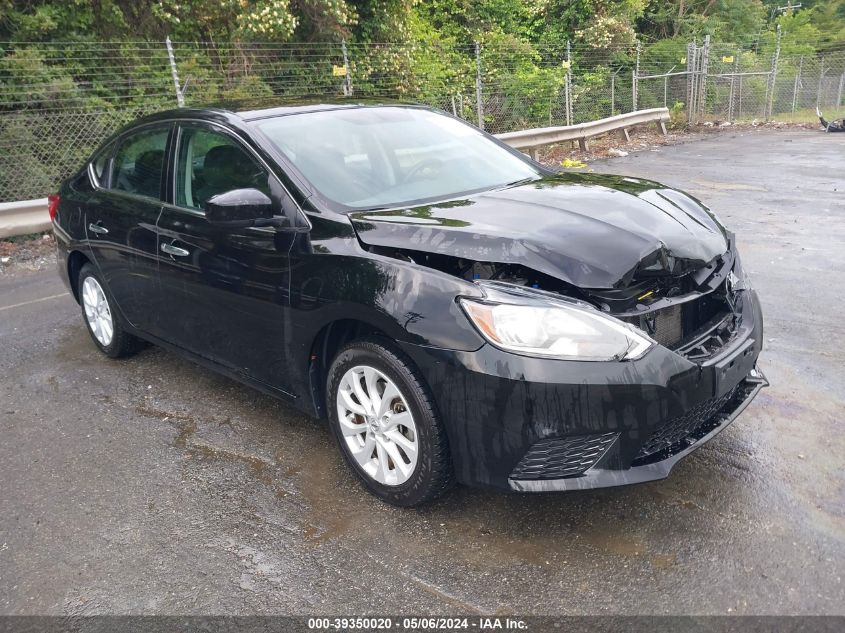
(680, 432)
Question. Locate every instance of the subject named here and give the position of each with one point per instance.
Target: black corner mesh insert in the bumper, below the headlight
(559, 457)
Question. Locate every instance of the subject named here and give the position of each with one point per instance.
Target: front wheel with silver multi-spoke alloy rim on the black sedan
(386, 424)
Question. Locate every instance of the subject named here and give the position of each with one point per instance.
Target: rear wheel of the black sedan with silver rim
(101, 317)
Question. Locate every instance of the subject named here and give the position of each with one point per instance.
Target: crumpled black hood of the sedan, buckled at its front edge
(593, 231)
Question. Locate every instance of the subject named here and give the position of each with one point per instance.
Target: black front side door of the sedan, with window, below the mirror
(226, 289)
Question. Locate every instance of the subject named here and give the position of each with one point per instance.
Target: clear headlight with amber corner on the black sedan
(557, 329)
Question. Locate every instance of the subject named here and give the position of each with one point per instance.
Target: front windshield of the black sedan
(389, 156)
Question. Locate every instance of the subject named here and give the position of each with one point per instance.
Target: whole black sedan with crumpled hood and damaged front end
(456, 310)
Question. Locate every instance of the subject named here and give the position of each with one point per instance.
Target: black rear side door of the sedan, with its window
(120, 221)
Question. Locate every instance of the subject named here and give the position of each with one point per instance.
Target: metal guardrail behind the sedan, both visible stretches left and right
(31, 216)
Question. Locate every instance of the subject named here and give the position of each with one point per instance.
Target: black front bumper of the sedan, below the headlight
(518, 423)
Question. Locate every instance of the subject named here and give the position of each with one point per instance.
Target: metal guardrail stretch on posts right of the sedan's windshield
(532, 139)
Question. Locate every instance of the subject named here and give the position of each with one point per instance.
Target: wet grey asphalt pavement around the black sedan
(150, 485)
